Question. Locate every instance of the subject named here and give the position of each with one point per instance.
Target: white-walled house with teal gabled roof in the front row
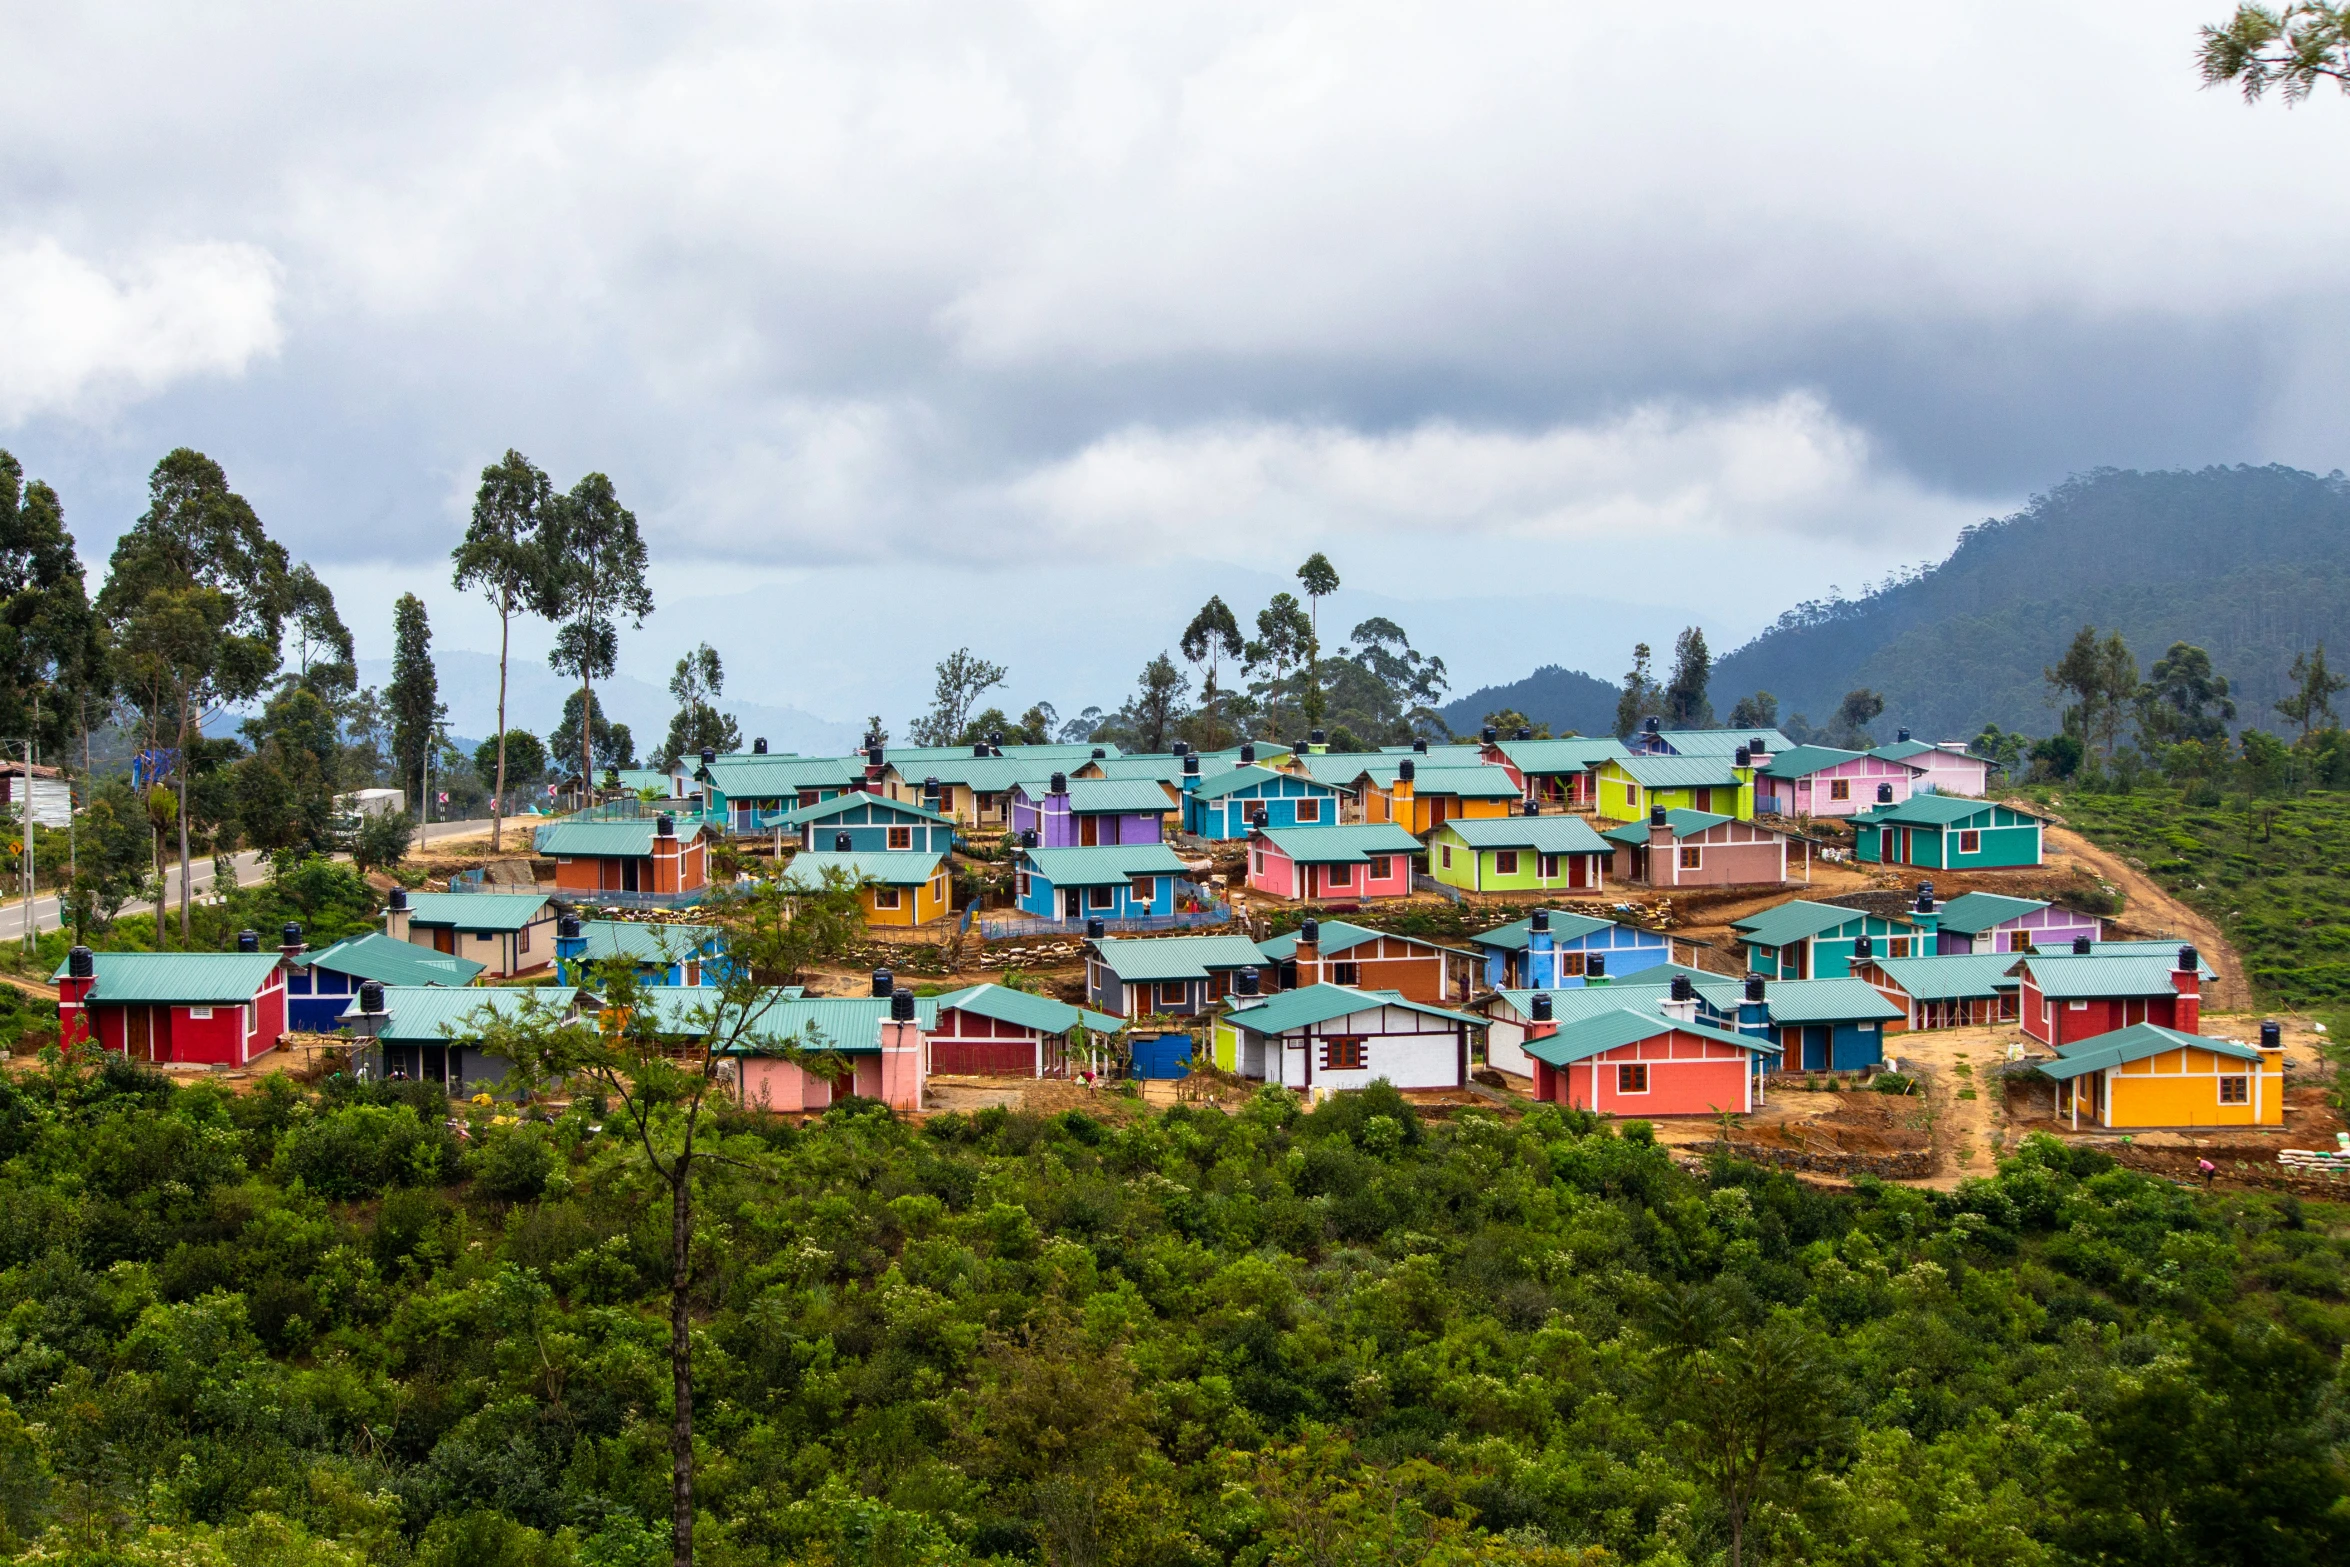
(1338, 1037)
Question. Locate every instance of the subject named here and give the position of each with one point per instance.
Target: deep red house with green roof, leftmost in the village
(217, 1009)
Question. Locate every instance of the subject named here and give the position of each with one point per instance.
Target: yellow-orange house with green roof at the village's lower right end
(2147, 1077)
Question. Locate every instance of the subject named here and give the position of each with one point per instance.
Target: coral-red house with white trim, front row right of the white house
(1646, 1061)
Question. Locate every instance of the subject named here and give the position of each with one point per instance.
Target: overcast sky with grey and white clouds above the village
(911, 325)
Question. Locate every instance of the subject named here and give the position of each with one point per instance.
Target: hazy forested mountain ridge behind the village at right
(2245, 563)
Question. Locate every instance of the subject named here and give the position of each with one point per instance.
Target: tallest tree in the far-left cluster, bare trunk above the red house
(196, 596)
